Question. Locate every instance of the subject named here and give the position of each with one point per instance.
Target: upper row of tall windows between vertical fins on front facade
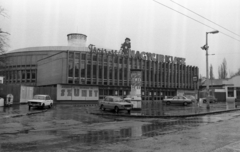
(122, 73)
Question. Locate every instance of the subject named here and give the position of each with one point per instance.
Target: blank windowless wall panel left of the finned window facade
(52, 70)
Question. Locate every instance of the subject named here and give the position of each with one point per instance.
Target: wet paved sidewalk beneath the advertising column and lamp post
(176, 111)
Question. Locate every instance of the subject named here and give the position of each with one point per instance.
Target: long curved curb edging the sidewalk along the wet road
(166, 116)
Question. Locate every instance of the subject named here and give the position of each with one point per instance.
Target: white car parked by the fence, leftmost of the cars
(40, 101)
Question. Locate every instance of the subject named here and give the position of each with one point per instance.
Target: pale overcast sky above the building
(150, 26)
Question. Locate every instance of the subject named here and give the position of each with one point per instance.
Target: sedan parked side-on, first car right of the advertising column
(178, 100)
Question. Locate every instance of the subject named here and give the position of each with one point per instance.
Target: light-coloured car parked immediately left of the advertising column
(115, 103)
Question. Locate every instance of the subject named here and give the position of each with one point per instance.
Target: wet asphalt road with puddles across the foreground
(73, 128)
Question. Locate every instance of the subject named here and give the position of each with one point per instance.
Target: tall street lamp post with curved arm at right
(205, 47)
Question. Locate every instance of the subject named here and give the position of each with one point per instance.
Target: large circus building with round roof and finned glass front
(79, 72)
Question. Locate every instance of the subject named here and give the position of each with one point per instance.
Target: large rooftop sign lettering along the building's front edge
(140, 55)
